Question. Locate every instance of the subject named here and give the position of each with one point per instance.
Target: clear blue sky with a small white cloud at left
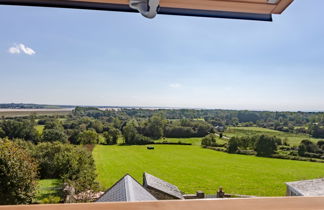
(82, 57)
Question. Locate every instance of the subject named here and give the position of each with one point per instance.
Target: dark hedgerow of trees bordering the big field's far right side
(267, 146)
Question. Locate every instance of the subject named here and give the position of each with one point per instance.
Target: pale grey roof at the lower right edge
(314, 187)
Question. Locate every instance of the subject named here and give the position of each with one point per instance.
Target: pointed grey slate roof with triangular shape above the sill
(126, 189)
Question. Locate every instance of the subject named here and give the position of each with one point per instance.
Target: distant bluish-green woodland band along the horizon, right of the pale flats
(295, 122)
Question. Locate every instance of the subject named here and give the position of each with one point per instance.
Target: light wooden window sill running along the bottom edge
(282, 203)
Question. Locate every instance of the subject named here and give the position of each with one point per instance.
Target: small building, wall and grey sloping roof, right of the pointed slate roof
(161, 189)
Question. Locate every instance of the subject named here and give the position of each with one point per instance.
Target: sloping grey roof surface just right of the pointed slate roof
(161, 185)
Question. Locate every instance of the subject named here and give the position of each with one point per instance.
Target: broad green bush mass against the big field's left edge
(73, 164)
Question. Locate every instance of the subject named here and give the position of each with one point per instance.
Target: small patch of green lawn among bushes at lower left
(46, 188)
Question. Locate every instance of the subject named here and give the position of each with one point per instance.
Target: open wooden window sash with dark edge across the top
(236, 9)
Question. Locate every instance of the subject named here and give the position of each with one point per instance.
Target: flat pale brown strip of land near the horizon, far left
(27, 112)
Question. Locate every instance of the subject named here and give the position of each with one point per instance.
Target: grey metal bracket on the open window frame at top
(148, 8)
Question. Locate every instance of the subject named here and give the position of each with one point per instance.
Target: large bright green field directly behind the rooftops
(192, 168)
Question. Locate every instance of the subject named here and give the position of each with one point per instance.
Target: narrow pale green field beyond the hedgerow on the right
(293, 139)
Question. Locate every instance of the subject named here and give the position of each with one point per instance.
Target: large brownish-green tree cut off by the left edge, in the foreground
(18, 174)
